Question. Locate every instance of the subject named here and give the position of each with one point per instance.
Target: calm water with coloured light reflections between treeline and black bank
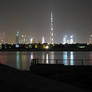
(22, 60)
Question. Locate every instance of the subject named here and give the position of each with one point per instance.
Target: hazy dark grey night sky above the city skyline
(73, 17)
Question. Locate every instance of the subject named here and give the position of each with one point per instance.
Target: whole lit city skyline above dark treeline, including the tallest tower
(25, 39)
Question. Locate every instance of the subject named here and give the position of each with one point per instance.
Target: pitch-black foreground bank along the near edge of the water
(43, 78)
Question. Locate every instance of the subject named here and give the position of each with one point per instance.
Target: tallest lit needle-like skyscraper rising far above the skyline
(51, 29)
